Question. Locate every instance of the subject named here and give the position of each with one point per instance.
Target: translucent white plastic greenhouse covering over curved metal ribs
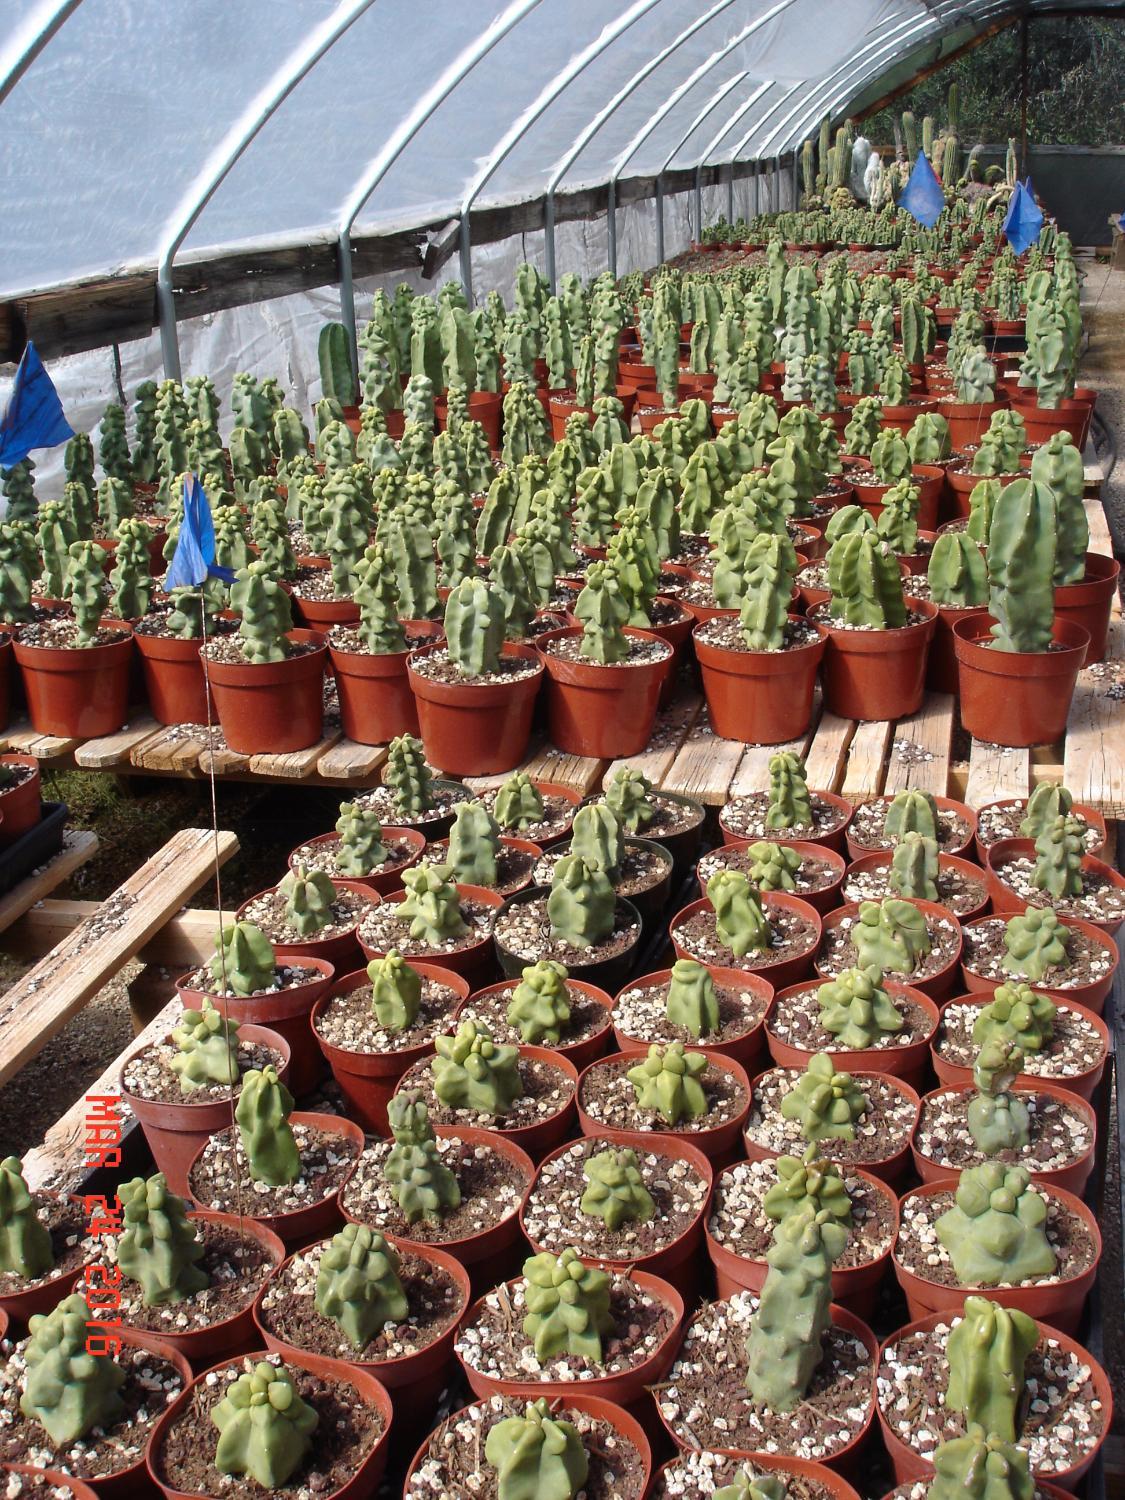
(140, 131)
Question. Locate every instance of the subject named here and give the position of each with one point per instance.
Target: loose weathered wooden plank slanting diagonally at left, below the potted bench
(61, 985)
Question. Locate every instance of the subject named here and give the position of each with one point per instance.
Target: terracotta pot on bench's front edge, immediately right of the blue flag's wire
(272, 707)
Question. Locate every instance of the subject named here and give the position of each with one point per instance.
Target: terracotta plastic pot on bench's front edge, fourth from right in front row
(602, 712)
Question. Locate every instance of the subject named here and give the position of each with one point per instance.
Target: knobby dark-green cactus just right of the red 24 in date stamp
(160, 1246)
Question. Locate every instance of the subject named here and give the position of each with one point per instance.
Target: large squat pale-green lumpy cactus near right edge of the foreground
(997, 1229)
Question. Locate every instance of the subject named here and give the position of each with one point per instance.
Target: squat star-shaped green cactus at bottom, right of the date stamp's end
(265, 1427)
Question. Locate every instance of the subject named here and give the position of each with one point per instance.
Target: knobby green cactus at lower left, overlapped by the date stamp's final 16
(70, 1391)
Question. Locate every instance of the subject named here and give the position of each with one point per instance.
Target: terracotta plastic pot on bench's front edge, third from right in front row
(760, 697)
